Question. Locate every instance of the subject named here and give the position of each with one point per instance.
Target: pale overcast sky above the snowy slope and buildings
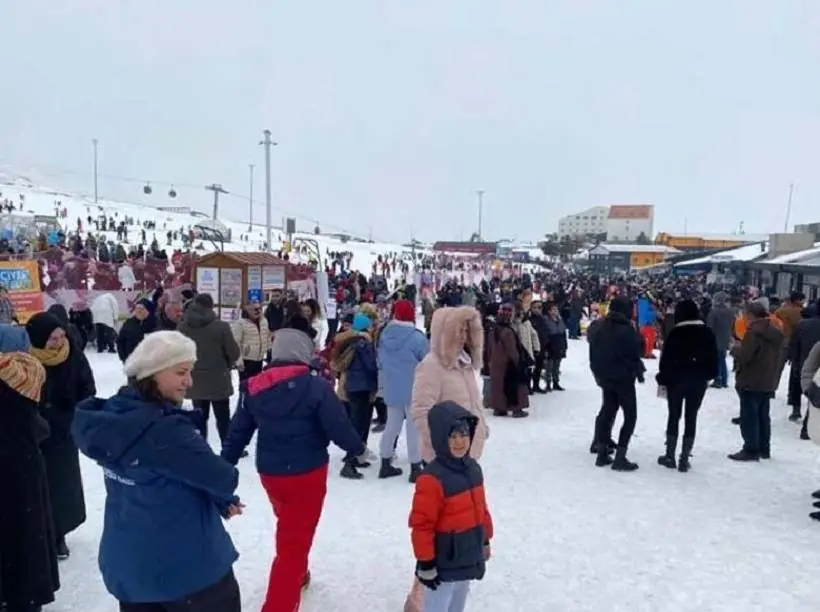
(391, 113)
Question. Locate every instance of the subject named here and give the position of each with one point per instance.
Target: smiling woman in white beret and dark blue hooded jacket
(163, 546)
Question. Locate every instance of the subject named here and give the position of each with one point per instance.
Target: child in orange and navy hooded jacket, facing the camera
(450, 522)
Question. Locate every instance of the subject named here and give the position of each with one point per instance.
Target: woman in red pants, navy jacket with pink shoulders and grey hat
(297, 414)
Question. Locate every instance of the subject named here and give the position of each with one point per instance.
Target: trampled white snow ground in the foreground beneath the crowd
(569, 537)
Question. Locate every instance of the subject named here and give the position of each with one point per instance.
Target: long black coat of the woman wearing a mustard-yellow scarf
(66, 385)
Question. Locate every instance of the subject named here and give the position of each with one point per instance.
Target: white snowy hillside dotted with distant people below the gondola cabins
(40, 200)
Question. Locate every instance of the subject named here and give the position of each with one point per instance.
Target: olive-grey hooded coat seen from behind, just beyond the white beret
(216, 353)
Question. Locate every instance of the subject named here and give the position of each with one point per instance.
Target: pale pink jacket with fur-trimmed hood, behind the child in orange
(444, 374)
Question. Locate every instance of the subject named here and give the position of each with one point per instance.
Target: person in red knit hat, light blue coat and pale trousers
(401, 348)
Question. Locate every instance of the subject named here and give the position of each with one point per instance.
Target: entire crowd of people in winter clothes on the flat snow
(308, 379)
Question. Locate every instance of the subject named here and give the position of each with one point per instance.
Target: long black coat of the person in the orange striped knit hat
(28, 553)
